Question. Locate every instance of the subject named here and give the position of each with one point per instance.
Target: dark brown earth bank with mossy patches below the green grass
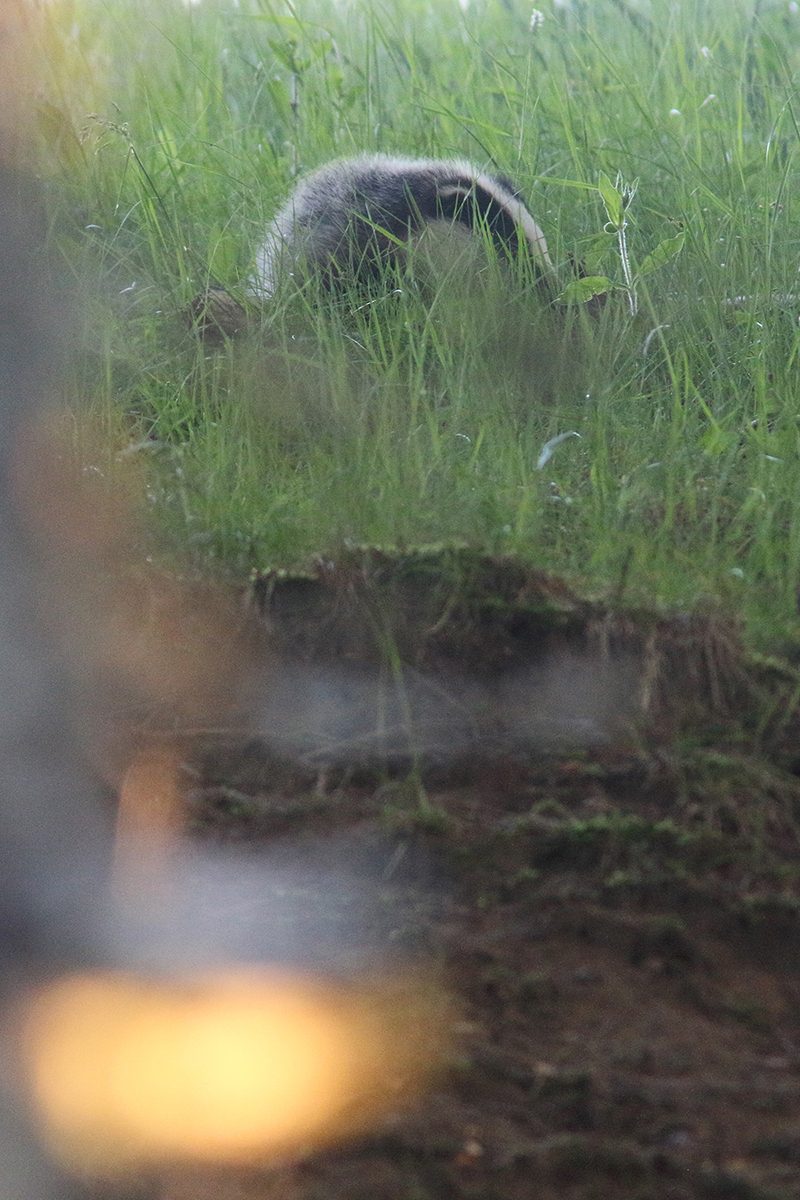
(611, 898)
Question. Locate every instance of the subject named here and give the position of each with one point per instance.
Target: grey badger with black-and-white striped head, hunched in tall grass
(357, 214)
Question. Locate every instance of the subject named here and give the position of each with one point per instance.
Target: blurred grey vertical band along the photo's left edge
(55, 841)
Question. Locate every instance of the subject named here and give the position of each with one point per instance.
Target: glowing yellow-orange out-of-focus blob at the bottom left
(239, 1069)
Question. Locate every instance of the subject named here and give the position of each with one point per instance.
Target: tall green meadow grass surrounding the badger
(419, 418)
